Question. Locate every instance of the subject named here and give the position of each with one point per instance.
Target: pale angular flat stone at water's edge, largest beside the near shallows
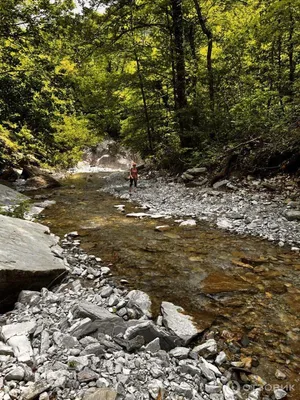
(175, 319)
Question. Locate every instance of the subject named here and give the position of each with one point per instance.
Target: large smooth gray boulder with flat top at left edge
(27, 258)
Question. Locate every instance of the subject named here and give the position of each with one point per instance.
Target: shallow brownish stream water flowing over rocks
(241, 285)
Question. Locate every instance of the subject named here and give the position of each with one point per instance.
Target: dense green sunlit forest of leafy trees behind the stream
(183, 82)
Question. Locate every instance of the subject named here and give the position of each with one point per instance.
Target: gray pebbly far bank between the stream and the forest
(249, 207)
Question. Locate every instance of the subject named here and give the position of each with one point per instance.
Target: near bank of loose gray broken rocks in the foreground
(88, 339)
